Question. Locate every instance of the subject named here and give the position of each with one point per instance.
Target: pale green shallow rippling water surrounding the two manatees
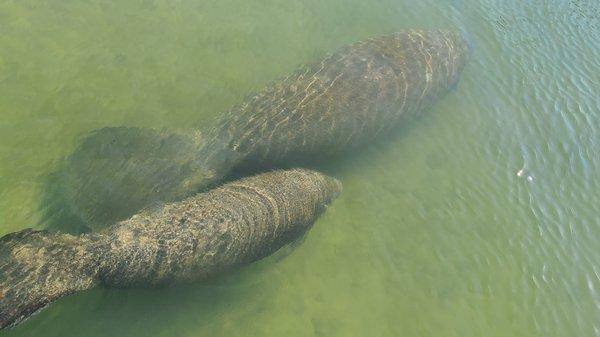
(434, 235)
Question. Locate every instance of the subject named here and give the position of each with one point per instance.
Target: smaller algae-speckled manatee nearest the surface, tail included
(193, 239)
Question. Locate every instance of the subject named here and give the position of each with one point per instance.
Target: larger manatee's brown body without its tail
(347, 99)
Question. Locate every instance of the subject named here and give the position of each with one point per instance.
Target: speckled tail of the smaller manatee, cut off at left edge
(38, 267)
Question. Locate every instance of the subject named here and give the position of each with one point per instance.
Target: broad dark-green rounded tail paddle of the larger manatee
(114, 172)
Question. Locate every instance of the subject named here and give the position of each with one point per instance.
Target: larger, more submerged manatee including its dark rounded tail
(337, 104)
